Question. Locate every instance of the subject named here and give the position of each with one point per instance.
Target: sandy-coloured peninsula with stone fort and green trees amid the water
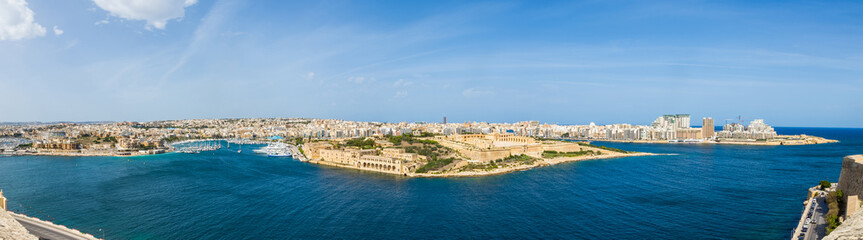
(457, 155)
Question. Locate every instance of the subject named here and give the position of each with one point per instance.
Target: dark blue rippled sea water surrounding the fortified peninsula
(703, 192)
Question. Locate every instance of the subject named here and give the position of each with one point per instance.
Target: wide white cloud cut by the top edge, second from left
(155, 12)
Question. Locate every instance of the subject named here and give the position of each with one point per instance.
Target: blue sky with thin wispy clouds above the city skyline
(792, 63)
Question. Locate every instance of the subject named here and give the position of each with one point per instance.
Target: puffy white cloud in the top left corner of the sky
(16, 21)
